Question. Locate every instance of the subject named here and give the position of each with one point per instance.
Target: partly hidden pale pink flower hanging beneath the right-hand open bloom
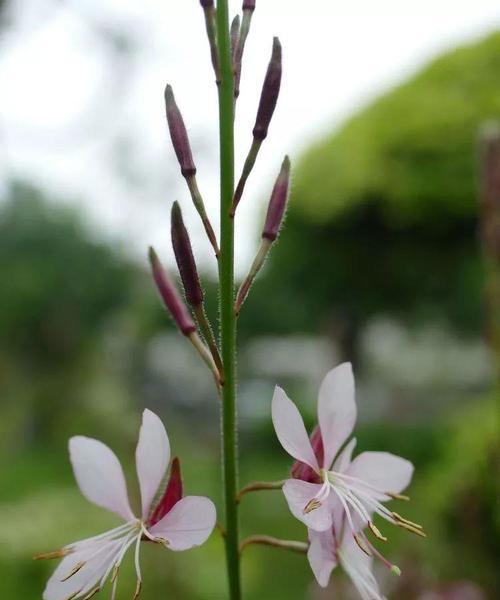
(326, 551)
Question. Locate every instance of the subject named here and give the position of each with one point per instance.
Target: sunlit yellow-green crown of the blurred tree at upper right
(412, 150)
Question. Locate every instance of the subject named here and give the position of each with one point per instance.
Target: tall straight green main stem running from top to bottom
(227, 317)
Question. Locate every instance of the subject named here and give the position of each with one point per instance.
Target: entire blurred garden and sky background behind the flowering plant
(381, 263)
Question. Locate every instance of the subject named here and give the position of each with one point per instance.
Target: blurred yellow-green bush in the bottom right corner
(458, 497)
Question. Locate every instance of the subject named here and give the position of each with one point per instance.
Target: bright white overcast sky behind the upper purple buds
(73, 115)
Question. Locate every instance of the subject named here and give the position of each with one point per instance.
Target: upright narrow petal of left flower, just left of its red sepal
(152, 457)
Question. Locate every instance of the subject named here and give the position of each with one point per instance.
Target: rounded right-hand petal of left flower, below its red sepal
(188, 524)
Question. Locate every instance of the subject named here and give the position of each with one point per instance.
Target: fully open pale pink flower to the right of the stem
(325, 480)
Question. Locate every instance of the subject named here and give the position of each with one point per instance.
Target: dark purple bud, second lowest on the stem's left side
(184, 257)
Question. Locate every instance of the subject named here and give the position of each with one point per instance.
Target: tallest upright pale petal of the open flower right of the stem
(336, 410)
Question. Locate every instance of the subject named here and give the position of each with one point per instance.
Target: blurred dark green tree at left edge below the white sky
(61, 285)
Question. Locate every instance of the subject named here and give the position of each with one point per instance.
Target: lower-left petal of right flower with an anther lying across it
(298, 494)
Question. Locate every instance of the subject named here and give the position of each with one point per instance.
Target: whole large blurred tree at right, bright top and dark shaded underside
(383, 214)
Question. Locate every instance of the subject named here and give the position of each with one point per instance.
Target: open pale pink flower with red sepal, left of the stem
(177, 522)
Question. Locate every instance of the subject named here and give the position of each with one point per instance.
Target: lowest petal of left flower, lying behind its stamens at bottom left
(97, 558)
